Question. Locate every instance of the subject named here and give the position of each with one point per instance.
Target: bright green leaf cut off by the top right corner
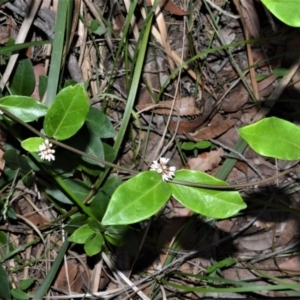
(287, 11)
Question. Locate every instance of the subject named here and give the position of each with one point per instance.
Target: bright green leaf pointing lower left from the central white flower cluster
(137, 199)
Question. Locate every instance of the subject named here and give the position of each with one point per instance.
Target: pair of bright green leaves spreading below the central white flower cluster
(146, 193)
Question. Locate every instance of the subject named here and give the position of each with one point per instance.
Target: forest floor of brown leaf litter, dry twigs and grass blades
(242, 67)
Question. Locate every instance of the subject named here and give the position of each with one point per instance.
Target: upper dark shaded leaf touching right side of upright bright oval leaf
(99, 123)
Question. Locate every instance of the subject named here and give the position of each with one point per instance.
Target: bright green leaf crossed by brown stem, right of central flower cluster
(211, 203)
